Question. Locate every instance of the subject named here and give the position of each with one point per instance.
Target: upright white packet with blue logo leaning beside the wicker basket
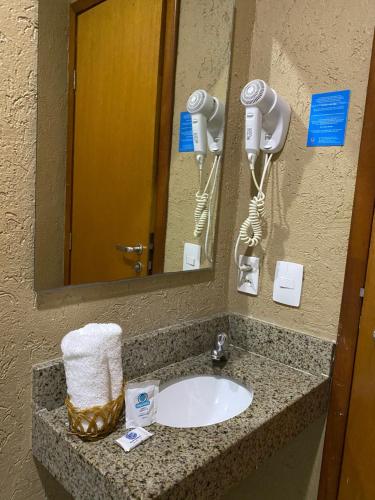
(141, 403)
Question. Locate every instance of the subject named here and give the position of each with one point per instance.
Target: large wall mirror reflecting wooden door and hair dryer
(122, 189)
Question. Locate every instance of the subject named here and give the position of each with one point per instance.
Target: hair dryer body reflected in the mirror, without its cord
(207, 114)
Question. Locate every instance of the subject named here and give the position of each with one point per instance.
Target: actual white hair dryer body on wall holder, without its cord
(267, 119)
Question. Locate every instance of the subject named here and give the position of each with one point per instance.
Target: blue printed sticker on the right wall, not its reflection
(328, 118)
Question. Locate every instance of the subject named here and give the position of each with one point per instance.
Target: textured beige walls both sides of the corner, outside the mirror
(286, 35)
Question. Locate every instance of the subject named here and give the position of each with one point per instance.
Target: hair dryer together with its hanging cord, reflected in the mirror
(207, 114)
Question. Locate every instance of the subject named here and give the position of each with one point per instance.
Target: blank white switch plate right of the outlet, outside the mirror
(287, 286)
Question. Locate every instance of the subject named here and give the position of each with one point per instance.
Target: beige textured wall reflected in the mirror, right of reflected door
(203, 63)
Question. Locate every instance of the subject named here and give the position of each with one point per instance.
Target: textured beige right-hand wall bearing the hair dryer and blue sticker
(300, 48)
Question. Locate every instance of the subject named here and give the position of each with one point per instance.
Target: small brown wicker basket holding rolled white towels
(96, 422)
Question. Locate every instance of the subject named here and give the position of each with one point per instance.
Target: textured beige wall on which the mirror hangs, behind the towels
(32, 325)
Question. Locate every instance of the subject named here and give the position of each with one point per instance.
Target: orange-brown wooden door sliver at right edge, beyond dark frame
(358, 470)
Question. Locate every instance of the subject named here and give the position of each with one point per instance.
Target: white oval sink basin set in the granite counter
(201, 400)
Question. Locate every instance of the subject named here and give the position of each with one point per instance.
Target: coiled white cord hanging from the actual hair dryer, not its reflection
(251, 229)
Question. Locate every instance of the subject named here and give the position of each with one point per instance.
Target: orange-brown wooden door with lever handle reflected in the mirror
(117, 59)
